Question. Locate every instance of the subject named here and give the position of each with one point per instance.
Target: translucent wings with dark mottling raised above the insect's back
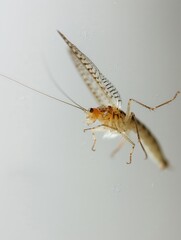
(102, 89)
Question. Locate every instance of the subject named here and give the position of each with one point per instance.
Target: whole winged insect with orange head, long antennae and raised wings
(110, 117)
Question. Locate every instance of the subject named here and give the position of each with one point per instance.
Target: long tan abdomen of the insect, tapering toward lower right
(151, 144)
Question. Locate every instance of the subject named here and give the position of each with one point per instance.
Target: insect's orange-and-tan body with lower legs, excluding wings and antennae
(115, 121)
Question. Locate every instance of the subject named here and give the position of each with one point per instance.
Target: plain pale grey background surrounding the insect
(52, 186)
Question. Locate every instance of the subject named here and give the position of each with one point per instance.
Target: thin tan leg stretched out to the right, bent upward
(146, 106)
